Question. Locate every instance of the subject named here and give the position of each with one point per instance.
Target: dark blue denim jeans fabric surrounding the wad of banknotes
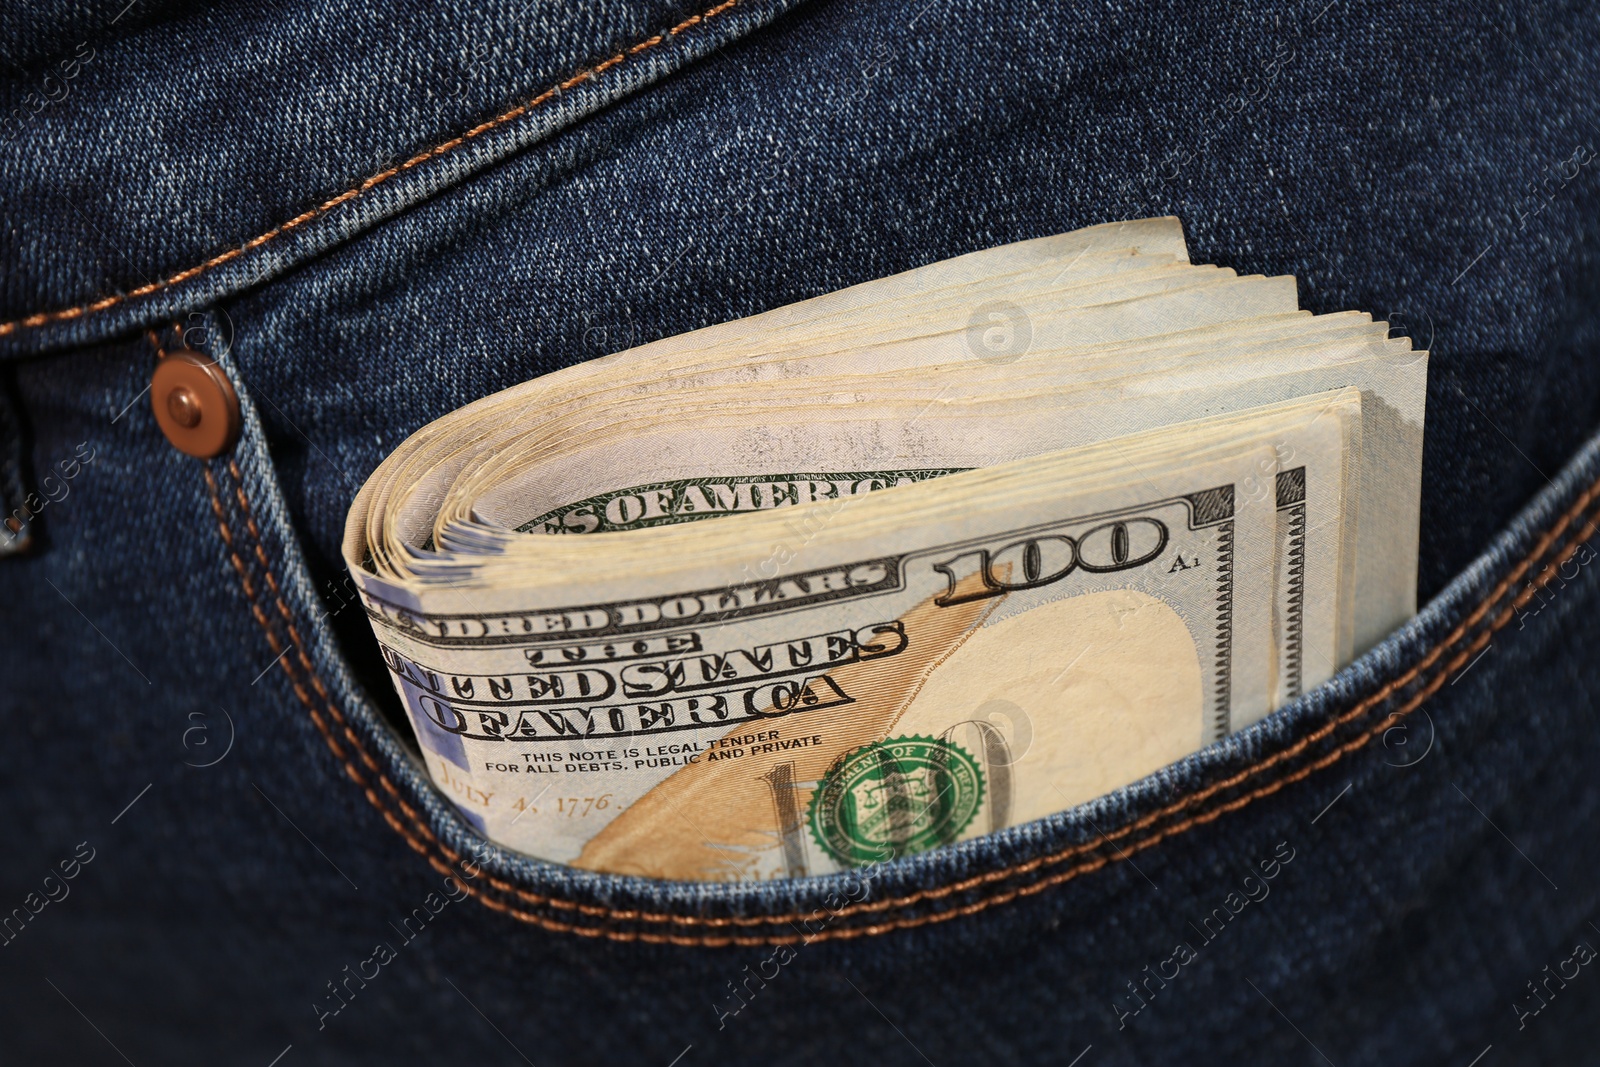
(1414, 162)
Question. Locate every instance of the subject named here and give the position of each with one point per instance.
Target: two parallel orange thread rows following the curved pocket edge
(1009, 873)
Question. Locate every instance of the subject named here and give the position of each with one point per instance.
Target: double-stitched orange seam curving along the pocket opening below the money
(265, 597)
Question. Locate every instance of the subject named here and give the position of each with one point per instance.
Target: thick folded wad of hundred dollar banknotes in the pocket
(898, 565)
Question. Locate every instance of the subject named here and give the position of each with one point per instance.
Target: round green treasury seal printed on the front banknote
(895, 797)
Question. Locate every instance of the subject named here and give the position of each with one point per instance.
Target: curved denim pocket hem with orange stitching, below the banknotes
(1362, 714)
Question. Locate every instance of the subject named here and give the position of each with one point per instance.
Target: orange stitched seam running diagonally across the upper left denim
(351, 194)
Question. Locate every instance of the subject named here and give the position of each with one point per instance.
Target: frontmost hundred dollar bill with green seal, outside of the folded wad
(1111, 605)
